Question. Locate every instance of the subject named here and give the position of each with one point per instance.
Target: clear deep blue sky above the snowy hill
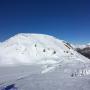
(65, 19)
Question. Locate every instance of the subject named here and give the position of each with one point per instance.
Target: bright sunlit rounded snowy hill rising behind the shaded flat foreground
(36, 49)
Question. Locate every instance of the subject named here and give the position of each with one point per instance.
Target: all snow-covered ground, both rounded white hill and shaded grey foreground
(42, 62)
